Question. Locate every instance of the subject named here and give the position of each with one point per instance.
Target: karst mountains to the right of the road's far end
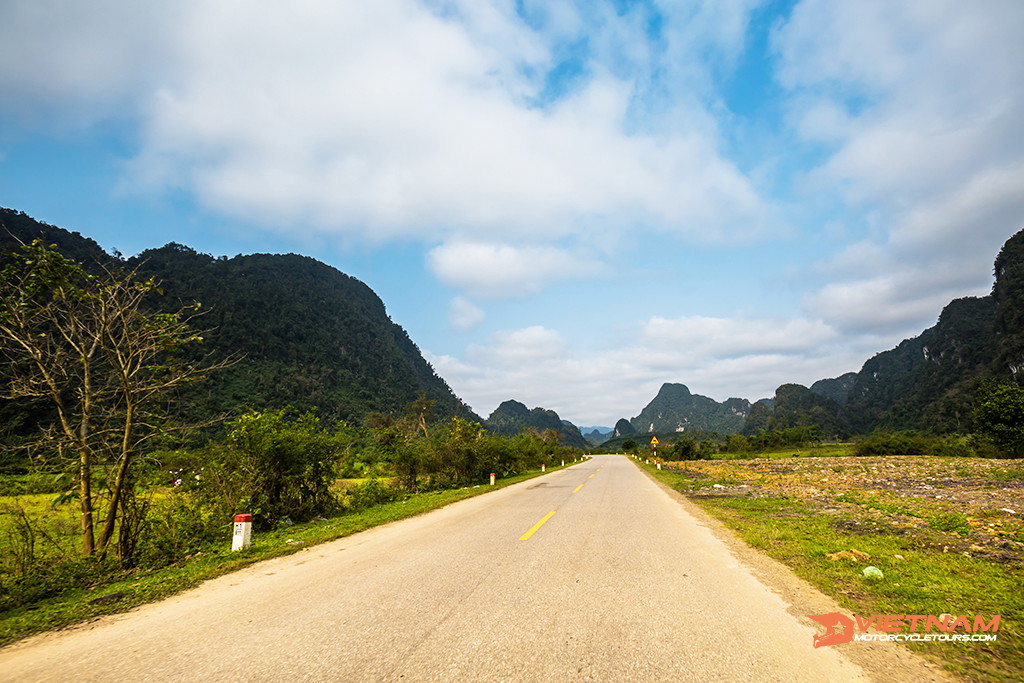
(927, 383)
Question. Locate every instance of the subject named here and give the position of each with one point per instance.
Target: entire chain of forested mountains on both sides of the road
(314, 337)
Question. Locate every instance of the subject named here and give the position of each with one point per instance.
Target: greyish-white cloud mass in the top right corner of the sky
(918, 105)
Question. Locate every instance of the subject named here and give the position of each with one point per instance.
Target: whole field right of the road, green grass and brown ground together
(948, 535)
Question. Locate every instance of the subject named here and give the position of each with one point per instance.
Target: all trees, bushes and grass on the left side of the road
(108, 499)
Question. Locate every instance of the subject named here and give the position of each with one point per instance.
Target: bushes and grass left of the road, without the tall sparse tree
(305, 483)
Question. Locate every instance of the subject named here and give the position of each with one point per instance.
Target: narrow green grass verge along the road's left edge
(137, 588)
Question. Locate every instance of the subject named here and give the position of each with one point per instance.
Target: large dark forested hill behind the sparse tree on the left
(304, 334)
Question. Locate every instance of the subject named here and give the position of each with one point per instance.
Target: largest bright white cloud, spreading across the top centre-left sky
(387, 120)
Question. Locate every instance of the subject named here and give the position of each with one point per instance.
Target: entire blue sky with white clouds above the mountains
(566, 203)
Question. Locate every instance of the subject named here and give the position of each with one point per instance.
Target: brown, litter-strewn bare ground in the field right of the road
(970, 506)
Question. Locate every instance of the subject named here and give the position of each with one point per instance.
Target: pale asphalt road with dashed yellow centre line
(620, 584)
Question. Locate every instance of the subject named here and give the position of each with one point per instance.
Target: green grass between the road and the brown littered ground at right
(922, 576)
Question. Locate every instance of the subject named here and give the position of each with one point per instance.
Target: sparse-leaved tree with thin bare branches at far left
(87, 344)
